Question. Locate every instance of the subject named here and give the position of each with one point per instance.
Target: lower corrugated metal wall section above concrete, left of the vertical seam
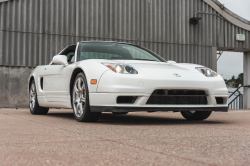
(29, 49)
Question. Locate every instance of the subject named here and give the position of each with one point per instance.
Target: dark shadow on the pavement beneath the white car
(132, 119)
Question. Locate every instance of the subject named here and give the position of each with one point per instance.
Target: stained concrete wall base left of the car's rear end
(13, 87)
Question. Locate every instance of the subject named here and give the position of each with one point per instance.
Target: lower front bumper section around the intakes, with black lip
(107, 102)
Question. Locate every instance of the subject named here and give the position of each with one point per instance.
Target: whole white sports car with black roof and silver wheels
(94, 77)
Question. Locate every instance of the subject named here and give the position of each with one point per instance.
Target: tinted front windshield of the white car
(115, 51)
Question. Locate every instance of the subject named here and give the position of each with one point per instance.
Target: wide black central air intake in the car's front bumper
(178, 97)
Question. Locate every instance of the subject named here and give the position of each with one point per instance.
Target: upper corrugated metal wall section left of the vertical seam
(43, 16)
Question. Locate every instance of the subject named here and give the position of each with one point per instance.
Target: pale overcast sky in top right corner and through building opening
(231, 63)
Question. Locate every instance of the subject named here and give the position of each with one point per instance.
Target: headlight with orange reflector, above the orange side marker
(121, 68)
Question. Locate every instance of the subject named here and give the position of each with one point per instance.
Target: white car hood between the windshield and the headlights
(152, 66)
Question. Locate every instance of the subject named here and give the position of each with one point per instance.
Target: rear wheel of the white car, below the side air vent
(35, 109)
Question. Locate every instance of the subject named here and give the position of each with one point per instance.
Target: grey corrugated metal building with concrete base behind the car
(33, 31)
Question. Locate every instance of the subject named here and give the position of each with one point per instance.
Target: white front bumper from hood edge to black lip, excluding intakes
(112, 85)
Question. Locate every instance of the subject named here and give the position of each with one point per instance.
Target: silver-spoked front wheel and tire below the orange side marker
(80, 101)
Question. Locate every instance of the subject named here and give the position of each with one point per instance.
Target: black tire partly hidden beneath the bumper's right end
(196, 115)
